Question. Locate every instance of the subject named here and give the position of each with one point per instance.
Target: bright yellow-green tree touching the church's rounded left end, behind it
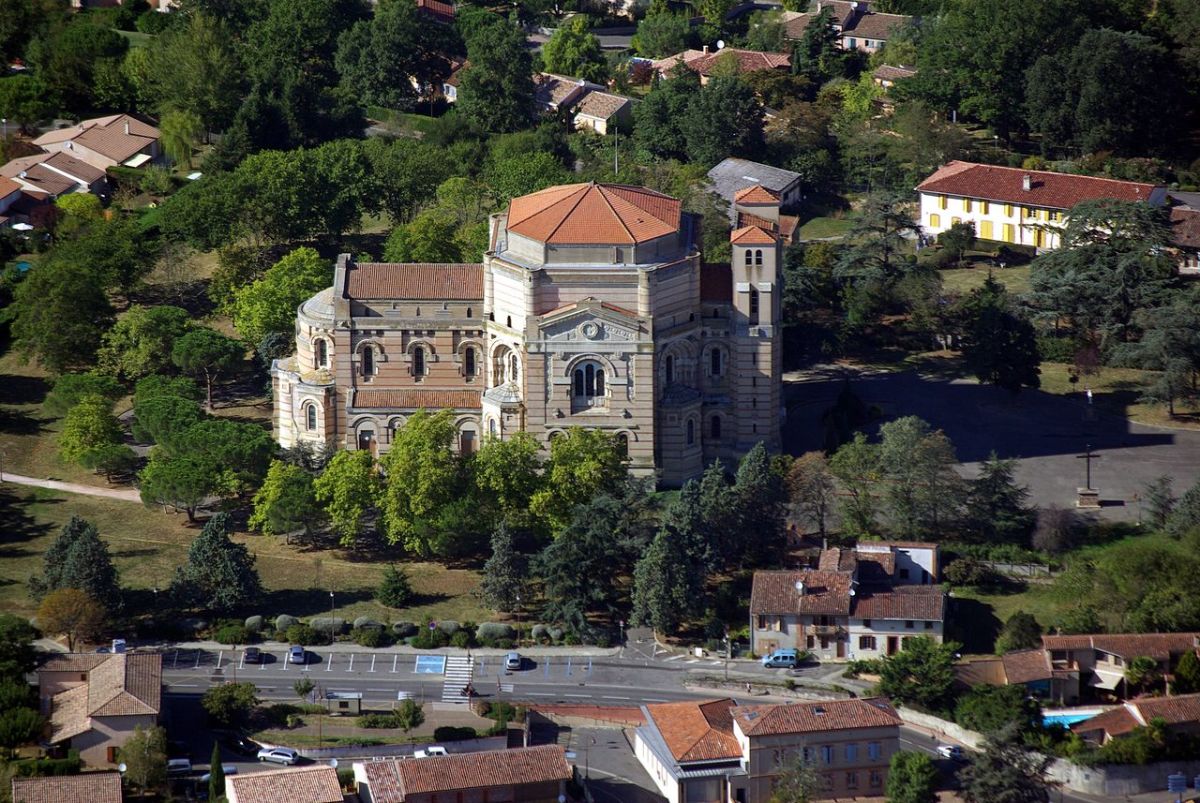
(269, 305)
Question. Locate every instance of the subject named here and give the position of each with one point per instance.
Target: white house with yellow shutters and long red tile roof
(1015, 206)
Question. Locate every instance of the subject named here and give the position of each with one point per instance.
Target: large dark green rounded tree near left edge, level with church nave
(59, 314)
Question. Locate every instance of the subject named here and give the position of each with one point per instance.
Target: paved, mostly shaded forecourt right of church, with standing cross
(1042, 432)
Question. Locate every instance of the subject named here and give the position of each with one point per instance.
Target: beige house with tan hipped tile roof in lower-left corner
(95, 702)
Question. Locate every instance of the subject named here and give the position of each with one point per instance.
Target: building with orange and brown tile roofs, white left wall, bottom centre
(718, 752)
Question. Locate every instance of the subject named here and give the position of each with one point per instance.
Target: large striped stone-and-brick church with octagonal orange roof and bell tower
(592, 308)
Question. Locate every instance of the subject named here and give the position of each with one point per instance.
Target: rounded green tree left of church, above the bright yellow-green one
(142, 340)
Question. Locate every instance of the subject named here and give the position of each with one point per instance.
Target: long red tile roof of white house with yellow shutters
(1047, 190)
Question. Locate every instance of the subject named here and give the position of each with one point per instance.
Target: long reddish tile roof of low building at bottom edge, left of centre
(392, 782)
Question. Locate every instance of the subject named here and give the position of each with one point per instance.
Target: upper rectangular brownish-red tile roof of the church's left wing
(418, 281)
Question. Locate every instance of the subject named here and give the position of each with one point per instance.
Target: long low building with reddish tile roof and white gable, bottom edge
(537, 775)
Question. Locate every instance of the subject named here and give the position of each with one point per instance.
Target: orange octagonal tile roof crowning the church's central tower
(585, 214)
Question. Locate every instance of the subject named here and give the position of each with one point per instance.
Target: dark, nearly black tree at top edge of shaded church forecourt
(999, 345)
